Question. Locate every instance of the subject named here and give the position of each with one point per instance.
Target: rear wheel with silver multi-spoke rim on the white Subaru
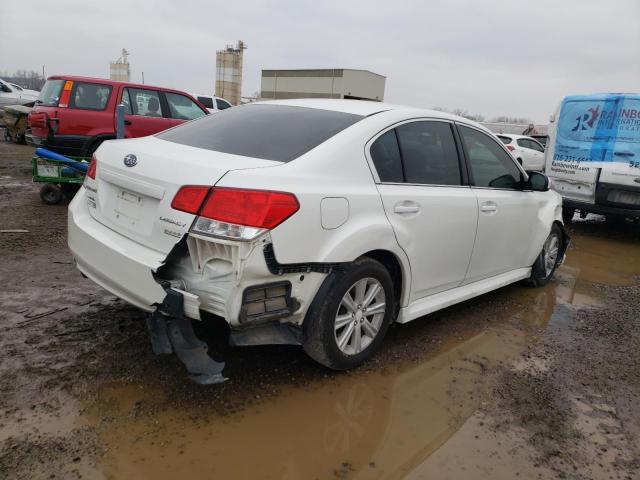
(350, 315)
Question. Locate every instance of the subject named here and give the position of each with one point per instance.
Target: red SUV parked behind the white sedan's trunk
(74, 115)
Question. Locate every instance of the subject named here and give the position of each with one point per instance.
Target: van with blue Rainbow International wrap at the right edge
(593, 155)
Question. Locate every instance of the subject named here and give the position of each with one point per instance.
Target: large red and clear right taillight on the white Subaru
(242, 214)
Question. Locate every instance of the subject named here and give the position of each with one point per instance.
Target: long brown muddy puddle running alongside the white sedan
(358, 425)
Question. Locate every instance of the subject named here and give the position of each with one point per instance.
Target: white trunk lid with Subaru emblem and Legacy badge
(134, 197)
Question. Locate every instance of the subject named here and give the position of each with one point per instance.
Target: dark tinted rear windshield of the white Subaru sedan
(271, 132)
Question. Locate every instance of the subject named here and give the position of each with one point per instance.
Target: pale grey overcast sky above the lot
(492, 57)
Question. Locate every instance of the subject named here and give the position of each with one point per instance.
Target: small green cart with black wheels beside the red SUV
(59, 180)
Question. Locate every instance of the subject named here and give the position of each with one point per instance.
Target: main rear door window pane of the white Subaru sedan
(429, 153)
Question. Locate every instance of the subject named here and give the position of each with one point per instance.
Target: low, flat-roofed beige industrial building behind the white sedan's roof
(322, 83)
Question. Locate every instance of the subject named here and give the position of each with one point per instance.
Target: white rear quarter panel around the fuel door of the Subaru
(337, 168)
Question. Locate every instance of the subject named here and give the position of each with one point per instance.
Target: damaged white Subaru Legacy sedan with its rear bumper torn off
(313, 222)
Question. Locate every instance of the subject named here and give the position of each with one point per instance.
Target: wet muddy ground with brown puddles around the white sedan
(519, 383)
